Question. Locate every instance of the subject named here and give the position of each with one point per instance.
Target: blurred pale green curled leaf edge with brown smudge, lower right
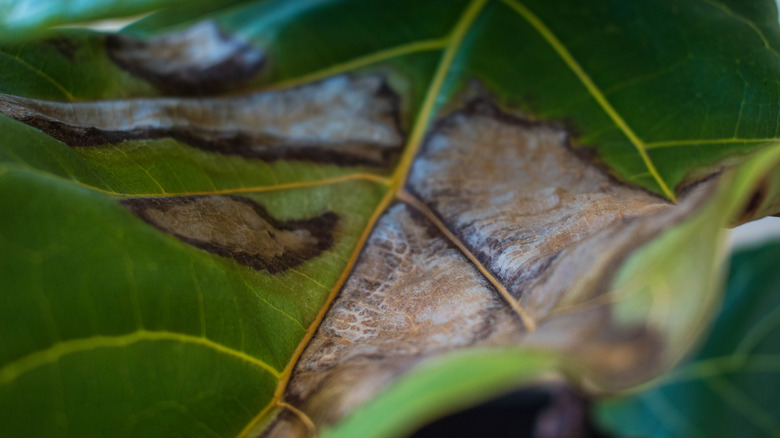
(584, 328)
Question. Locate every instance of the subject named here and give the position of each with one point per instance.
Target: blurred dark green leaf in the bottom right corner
(729, 388)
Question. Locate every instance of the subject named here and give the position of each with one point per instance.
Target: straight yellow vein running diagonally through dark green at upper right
(594, 90)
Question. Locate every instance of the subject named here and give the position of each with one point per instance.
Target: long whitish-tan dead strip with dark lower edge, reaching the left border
(343, 120)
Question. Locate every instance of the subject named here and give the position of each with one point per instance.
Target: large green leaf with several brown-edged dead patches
(474, 175)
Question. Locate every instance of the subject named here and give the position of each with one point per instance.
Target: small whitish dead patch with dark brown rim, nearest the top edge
(200, 59)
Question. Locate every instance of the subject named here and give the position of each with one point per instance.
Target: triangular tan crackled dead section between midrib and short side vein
(412, 295)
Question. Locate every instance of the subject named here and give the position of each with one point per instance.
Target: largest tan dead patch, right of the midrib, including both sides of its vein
(548, 226)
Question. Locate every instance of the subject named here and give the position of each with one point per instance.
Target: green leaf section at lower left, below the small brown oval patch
(162, 333)
